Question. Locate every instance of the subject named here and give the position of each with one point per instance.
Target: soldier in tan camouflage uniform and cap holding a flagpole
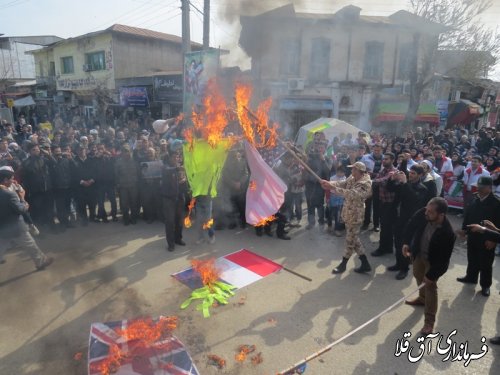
(355, 190)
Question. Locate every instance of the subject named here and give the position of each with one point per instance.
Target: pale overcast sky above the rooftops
(68, 18)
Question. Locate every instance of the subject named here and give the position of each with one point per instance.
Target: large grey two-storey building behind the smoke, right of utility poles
(334, 65)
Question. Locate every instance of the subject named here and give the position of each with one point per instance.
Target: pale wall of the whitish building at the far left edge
(14, 62)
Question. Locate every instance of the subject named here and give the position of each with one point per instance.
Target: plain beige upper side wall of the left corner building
(139, 57)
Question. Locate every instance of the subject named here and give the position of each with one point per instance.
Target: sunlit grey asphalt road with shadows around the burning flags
(108, 272)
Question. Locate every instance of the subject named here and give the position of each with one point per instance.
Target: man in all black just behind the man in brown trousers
(411, 196)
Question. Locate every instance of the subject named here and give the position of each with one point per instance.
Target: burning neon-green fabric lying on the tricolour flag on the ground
(213, 290)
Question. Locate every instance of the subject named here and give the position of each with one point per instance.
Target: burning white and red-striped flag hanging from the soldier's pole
(267, 194)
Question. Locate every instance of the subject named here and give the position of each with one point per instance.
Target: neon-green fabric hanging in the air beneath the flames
(203, 165)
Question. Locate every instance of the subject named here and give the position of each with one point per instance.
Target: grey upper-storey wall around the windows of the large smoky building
(341, 67)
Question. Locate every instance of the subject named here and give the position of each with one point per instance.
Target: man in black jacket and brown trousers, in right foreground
(428, 240)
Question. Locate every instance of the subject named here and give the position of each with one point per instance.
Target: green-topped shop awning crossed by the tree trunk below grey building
(396, 112)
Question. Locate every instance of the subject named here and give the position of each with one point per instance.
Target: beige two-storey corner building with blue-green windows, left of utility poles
(118, 64)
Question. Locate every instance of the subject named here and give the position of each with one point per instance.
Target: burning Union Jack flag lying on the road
(165, 357)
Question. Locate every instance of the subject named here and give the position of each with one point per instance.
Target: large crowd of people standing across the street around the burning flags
(70, 171)
